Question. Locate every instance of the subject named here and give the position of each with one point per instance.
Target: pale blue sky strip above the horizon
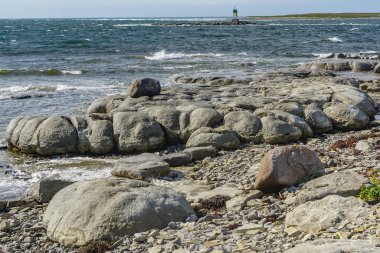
(175, 8)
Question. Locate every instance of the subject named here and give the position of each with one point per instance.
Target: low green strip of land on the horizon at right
(318, 16)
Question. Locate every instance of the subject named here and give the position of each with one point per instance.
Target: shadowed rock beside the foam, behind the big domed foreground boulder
(45, 189)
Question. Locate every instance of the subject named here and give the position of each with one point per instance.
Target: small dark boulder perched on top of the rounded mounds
(144, 87)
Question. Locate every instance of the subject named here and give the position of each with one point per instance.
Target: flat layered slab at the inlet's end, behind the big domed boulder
(141, 167)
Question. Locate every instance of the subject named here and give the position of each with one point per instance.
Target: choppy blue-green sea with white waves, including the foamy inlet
(58, 66)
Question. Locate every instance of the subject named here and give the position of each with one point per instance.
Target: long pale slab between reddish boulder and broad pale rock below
(345, 184)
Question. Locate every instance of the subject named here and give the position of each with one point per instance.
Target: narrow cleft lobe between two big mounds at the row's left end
(94, 136)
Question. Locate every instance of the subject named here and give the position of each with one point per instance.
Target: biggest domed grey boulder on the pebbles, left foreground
(109, 209)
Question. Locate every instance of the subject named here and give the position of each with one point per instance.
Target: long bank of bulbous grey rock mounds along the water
(273, 108)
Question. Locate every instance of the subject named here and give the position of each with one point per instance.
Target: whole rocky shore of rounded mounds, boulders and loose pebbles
(231, 135)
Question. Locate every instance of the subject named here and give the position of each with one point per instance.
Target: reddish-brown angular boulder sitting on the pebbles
(287, 166)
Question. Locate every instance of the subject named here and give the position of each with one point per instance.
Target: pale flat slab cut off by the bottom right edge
(334, 246)
